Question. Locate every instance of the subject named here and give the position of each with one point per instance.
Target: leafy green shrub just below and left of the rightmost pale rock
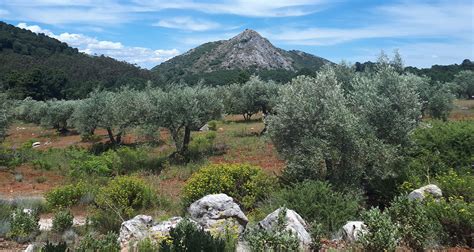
(414, 226)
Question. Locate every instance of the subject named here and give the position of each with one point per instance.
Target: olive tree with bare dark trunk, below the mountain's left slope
(183, 109)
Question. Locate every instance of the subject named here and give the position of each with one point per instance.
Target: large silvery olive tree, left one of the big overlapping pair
(314, 129)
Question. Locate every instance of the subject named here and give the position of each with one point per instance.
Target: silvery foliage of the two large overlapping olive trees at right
(346, 136)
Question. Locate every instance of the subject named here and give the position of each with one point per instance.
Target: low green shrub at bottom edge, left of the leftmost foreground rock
(95, 242)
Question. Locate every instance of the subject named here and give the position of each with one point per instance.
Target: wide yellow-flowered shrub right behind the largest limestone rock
(246, 184)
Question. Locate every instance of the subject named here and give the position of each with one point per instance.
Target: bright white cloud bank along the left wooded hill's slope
(144, 57)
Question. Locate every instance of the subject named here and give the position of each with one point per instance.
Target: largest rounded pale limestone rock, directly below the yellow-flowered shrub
(216, 212)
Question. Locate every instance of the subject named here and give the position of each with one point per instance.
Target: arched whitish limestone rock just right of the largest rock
(294, 223)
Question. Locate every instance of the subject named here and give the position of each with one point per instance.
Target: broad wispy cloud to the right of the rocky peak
(407, 20)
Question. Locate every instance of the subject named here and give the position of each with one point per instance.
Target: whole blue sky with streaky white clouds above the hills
(148, 32)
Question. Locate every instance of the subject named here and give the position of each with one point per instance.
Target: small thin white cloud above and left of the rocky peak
(187, 23)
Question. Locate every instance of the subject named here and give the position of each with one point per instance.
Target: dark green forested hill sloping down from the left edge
(42, 67)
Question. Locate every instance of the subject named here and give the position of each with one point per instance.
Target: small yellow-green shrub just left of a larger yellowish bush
(65, 196)
